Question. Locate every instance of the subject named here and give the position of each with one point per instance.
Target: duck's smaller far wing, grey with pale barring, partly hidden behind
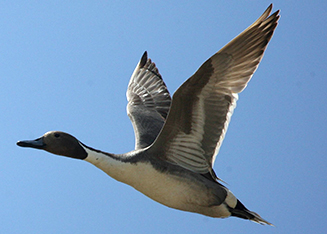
(148, 102)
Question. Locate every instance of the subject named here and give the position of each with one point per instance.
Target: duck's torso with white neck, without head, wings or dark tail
(166, 184)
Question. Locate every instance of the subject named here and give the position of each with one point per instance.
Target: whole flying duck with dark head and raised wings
(177, 139)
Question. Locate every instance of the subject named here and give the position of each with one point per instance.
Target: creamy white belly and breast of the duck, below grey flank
(177, 191)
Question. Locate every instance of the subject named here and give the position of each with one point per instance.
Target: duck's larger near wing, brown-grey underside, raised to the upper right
(202, 107)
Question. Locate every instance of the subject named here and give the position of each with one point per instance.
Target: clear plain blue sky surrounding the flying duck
(65, 65)
